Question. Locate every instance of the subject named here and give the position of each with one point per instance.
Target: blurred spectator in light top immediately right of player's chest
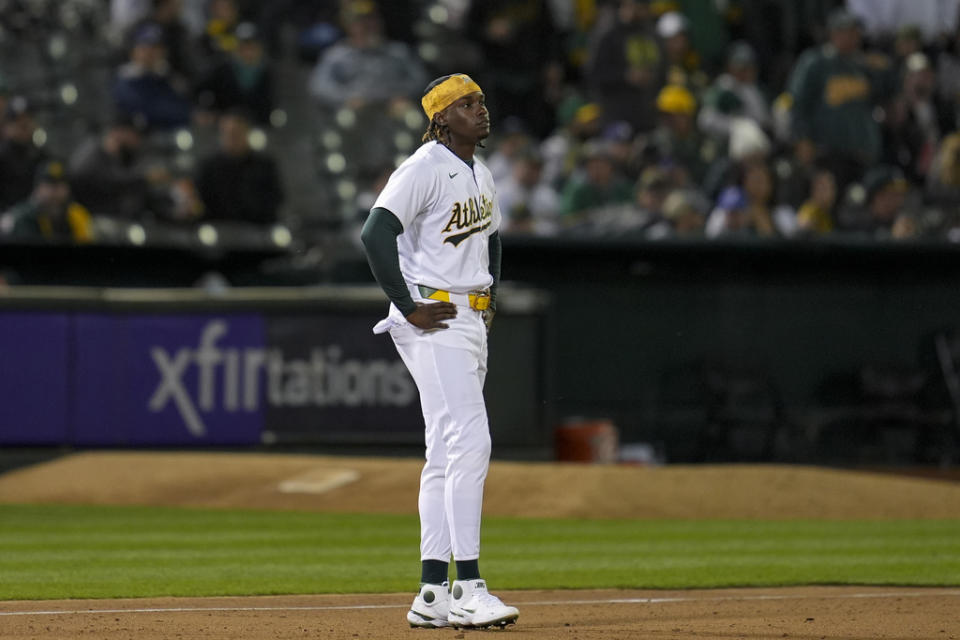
(529, 205)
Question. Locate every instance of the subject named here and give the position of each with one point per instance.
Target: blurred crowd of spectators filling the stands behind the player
(646, 119)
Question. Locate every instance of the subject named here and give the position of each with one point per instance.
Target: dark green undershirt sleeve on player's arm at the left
(379, 237)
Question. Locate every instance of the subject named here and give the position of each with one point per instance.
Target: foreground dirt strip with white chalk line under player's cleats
(807, 613)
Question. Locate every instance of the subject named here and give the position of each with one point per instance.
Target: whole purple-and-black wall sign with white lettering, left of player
(236, 379)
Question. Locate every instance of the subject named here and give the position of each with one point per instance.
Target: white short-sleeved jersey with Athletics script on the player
(448, 210)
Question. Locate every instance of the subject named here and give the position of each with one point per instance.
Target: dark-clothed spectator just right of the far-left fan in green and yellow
(107, 175)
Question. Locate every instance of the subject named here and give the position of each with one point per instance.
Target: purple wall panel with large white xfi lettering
(163, 379)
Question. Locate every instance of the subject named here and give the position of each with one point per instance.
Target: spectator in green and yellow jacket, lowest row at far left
(49, 213)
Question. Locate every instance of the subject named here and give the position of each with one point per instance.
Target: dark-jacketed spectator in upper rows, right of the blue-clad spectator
(243, 79)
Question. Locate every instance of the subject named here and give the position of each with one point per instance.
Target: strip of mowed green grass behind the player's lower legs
(100, 552)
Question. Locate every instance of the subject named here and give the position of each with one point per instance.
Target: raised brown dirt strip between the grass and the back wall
(384, 485)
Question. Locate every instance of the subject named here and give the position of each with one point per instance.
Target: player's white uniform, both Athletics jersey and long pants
(448, 210)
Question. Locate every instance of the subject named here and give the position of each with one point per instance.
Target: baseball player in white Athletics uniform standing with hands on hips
(432, 243)
